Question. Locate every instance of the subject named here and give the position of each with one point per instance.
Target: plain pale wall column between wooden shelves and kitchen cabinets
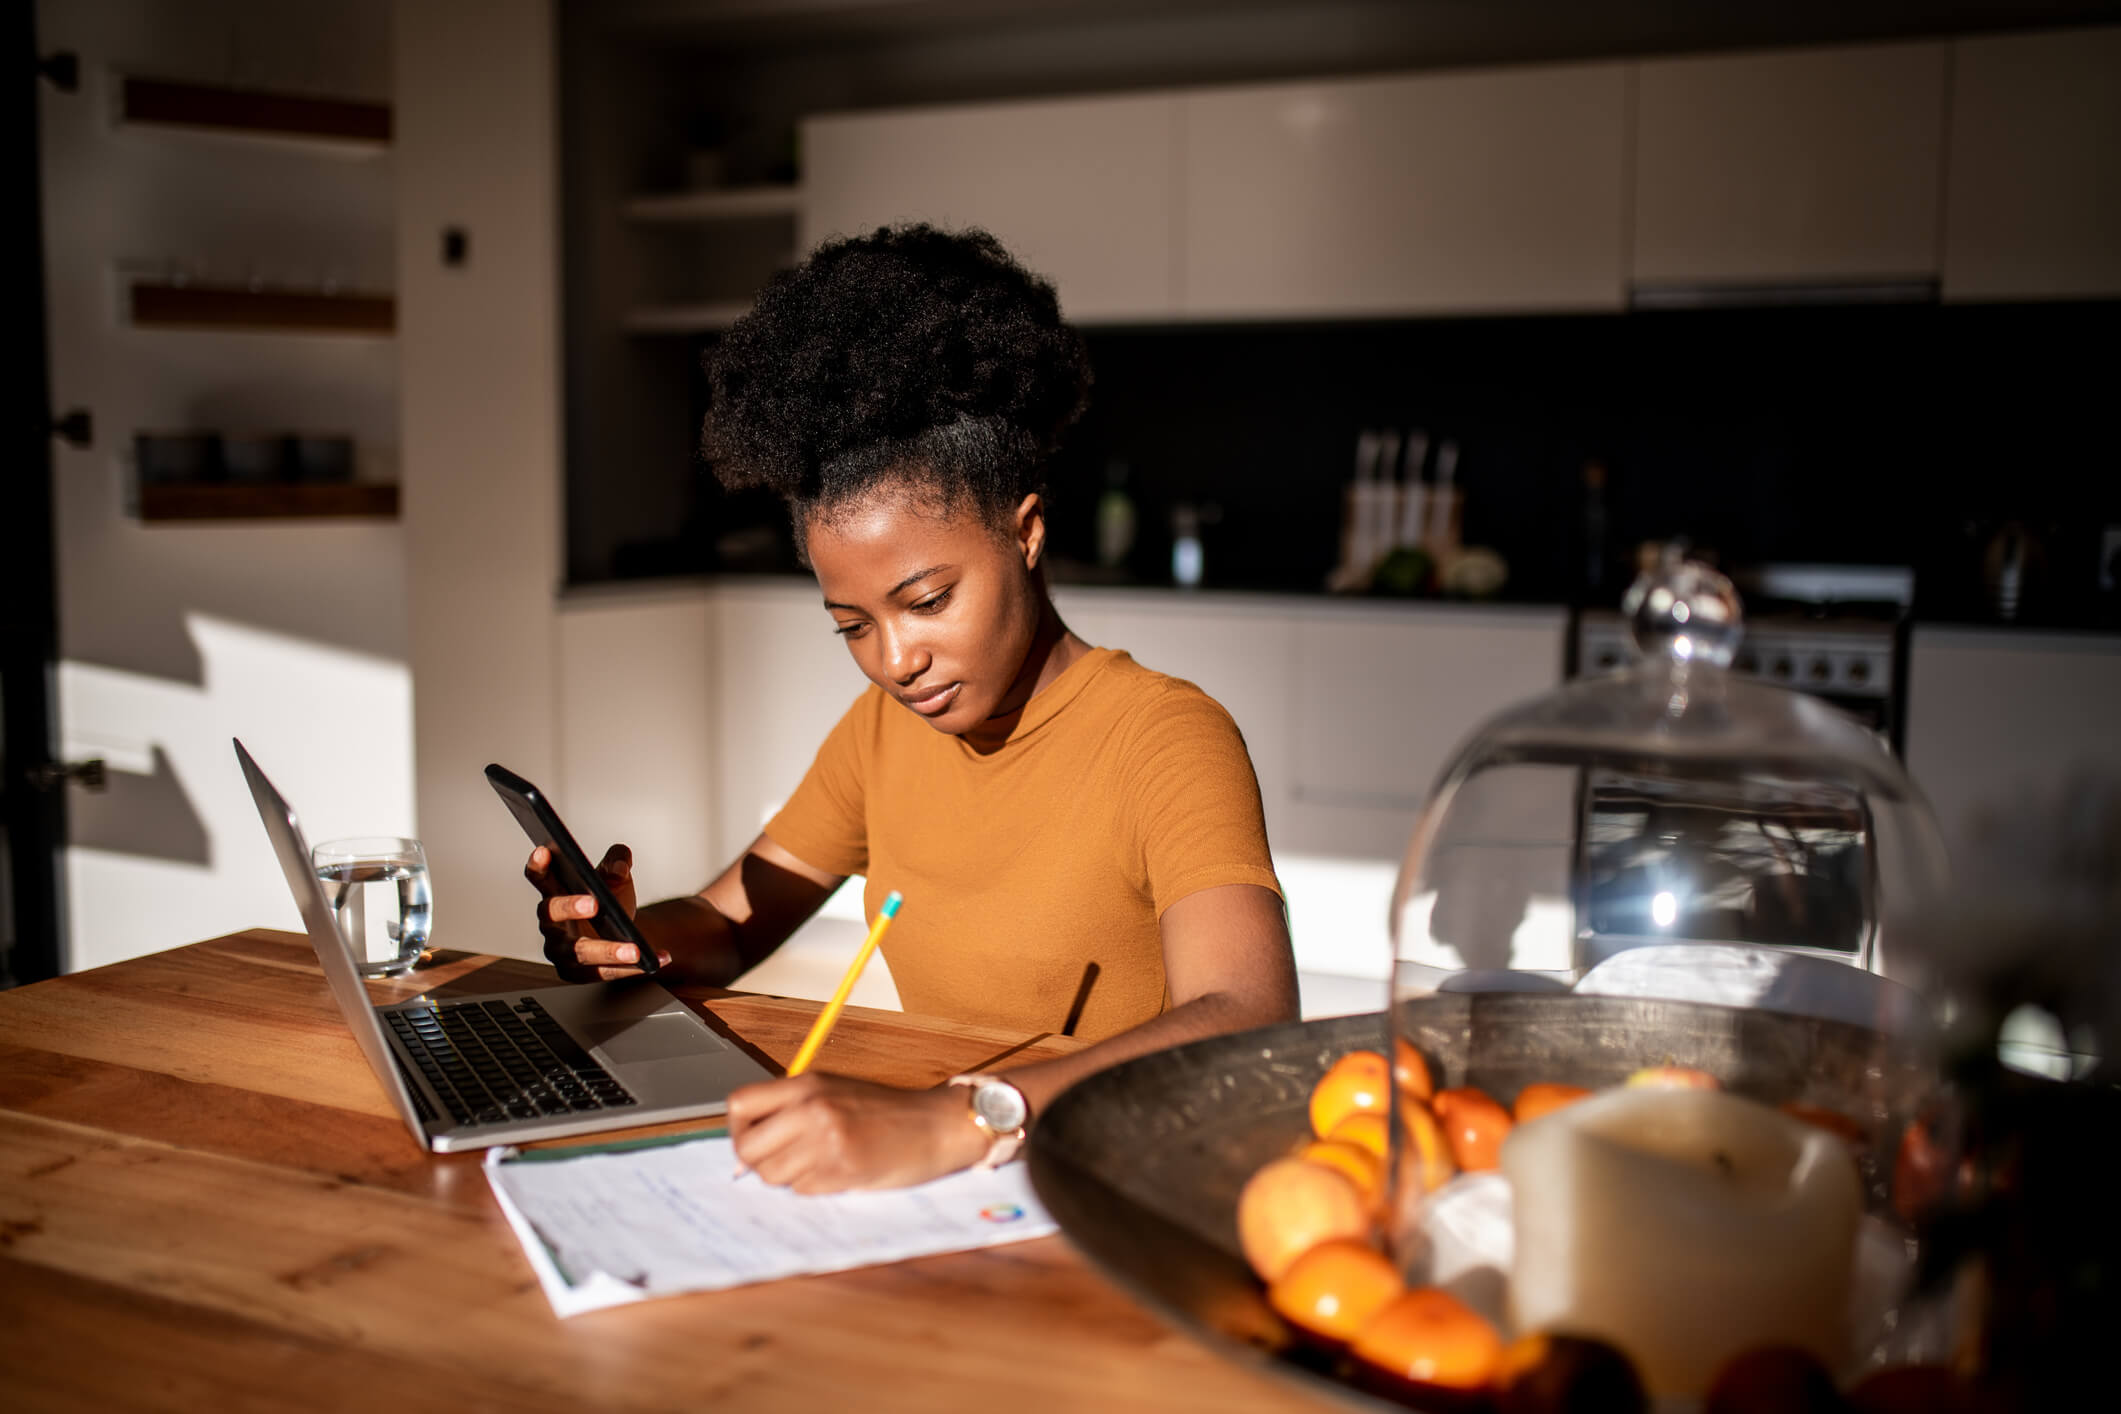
(480, 414)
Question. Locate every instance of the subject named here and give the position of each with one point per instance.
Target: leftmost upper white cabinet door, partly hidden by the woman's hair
(1079, 190)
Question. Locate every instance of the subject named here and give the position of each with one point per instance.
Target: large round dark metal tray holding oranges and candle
(1142, 1163)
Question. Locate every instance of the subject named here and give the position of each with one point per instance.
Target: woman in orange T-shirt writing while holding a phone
(1079, 838)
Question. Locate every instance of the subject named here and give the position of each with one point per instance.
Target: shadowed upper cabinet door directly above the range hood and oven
(1817, 164)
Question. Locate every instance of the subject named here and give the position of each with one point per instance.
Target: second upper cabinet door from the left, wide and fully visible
(1407, 196)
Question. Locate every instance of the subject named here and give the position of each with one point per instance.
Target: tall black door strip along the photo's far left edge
(33, 788)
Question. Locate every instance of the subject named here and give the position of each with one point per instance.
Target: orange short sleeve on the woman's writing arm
(1195, 800)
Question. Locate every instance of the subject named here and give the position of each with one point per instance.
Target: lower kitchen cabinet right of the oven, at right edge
(1997, 715)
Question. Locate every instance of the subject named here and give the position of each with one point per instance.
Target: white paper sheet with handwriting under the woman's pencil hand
(614, 1226)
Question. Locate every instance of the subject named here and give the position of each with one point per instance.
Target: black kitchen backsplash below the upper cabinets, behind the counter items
(1829, 434)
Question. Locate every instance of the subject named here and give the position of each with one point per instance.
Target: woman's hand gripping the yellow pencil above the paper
(828, 1133)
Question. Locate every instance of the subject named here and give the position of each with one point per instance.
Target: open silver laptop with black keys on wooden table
(506, 1067)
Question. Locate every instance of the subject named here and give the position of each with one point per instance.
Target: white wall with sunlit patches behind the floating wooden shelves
(177, 637)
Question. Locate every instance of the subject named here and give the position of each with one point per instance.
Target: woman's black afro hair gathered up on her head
(907, 355)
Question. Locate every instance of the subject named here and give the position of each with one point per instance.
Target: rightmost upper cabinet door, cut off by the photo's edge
(2033, 202)
